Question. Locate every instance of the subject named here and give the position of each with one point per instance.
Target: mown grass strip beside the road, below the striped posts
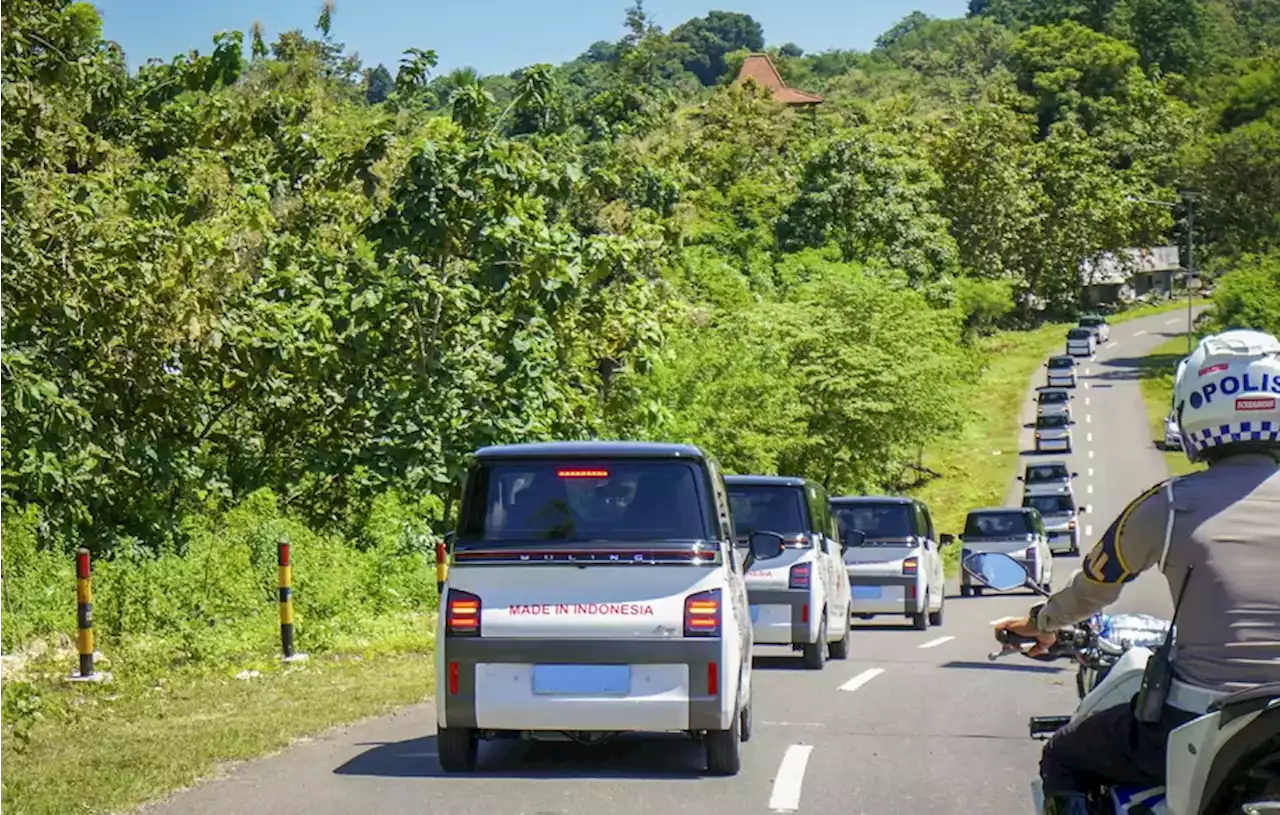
(109, 748)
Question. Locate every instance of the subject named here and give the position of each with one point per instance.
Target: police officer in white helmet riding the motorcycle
(1214, 532)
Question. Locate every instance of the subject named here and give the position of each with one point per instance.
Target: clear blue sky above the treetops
(492, 36)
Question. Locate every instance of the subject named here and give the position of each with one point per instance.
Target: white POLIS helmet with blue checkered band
(1227, 393)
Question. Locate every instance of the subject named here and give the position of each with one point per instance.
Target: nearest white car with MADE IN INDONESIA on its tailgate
(595, 590)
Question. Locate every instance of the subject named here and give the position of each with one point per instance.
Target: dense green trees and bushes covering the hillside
(268, 290)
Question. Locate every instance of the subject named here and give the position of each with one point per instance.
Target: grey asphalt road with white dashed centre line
(915, 722)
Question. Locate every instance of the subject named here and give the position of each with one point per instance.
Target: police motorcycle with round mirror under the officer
(1223, 763)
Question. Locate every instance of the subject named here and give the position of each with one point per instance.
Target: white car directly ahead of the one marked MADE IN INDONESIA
(799, 598)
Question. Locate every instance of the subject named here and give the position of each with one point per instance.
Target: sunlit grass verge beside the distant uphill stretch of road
(979, 464)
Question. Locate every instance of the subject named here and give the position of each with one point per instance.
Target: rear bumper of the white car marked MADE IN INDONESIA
(490, 685)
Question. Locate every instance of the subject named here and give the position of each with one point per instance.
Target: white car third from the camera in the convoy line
(894, 558)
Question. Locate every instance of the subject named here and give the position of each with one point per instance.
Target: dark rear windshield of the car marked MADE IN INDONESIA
(579, 501)
